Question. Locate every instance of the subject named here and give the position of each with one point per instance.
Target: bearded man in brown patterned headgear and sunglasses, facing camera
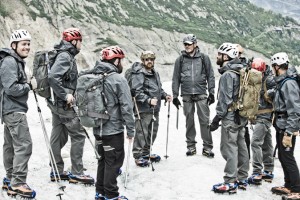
(148, 93)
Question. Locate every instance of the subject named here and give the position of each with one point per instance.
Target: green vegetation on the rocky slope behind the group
(213, 21)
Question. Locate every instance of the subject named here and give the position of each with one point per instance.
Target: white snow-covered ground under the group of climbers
(179, 177)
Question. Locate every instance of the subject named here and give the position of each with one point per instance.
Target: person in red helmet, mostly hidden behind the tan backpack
(261, 141)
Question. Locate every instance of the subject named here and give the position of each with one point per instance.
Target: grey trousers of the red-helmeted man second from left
(61, 128)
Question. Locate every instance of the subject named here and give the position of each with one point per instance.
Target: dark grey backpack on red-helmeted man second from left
(42, 63)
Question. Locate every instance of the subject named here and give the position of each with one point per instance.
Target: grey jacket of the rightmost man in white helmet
(287, 100)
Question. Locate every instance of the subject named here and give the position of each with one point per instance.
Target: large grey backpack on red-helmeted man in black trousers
(91, 100)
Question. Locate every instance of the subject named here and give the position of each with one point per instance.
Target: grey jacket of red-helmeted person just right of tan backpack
(268, 79)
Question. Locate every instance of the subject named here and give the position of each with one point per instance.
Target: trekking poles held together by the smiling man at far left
(51, 155)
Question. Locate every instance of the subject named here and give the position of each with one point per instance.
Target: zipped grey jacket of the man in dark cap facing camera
(193, 75)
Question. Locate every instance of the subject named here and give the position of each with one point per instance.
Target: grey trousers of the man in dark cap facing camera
(189, 102)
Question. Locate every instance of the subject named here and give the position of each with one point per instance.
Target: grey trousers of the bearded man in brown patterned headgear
(140, 147)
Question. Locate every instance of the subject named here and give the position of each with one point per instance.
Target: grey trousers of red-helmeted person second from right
(262, 148)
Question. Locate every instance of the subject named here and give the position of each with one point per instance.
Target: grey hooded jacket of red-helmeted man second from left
(63, 74)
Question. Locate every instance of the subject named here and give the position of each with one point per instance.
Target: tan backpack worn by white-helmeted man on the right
(247, 103)
